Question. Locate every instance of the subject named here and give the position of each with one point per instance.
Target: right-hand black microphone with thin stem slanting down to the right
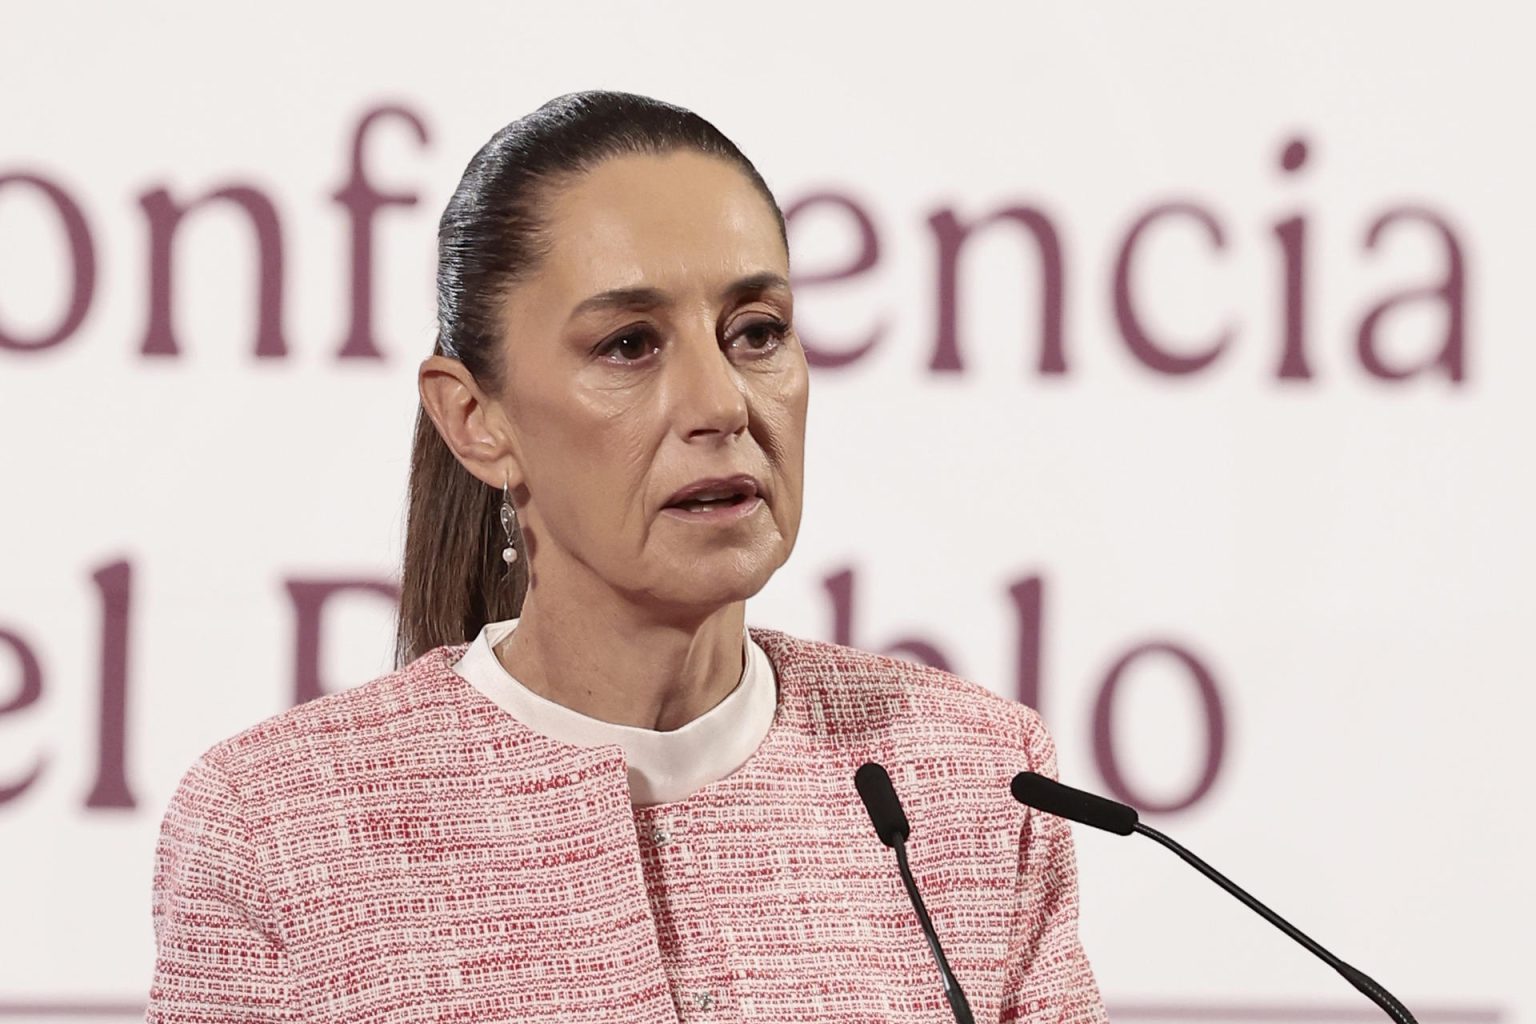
(1085, 808)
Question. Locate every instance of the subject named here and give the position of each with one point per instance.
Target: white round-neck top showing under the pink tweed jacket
(663, 767)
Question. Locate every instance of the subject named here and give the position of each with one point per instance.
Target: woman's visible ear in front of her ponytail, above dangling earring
(472, 424)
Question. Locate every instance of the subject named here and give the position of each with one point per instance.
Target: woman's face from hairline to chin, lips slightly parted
(655, 389)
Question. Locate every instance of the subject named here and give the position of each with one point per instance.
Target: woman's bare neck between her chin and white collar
(624, 667)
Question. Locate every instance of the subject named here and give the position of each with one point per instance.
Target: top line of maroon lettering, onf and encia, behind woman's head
(948, 237)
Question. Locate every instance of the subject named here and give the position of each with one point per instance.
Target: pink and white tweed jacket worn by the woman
(406, 851)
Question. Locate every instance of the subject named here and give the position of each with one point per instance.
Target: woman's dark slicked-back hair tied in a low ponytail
(492, 236)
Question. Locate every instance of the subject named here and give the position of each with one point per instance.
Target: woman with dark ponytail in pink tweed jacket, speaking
(591, 794)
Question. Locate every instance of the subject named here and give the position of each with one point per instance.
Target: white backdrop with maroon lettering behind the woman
(1346, 555)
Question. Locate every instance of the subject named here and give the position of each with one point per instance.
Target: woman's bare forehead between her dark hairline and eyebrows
(672, 222)
